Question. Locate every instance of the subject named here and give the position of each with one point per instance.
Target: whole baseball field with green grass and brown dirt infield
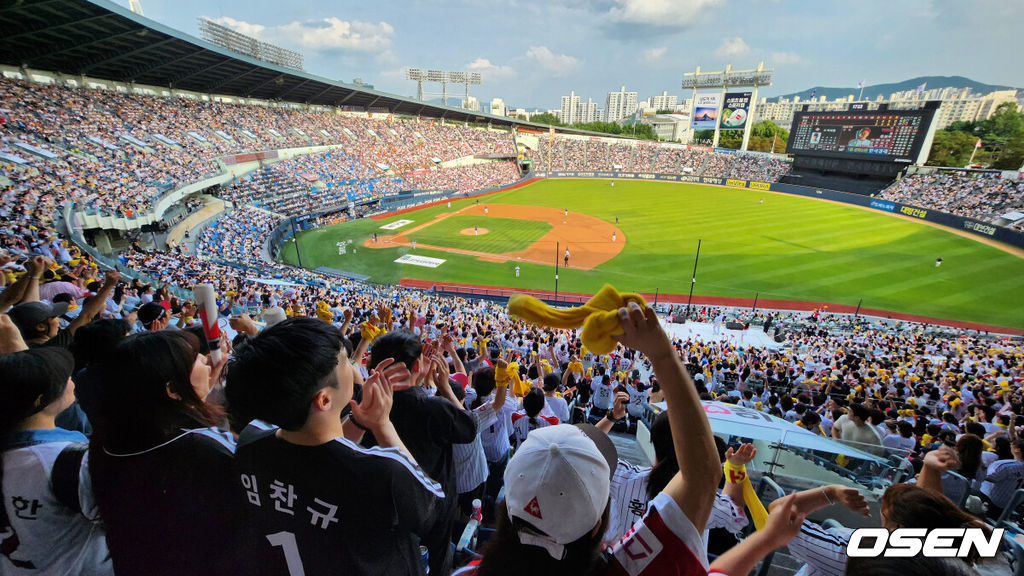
(643, 237)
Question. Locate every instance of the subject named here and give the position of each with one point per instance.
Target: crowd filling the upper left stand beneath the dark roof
(116, 153)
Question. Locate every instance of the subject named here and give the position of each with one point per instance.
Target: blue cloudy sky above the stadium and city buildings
(531, 53)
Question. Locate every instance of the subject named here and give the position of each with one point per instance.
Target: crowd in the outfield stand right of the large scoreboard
(984, 197)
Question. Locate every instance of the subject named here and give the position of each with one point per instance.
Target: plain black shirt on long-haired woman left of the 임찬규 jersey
(170, 510)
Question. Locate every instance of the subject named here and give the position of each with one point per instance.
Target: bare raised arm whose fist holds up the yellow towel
(694, 488)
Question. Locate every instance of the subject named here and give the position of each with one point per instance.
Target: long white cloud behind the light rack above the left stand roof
(326, 34)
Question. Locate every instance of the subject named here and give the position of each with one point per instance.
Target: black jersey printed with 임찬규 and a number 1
(318, 510)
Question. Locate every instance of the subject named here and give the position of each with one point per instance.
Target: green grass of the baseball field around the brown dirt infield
(788, 248)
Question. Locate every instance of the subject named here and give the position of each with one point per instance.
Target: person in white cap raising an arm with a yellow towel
(558, 488)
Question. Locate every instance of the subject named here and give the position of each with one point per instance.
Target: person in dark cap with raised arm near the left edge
(40, 322)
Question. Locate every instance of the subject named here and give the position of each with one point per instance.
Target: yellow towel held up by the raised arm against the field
(600, 317)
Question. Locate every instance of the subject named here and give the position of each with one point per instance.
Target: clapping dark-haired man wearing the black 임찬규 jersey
(316, 502)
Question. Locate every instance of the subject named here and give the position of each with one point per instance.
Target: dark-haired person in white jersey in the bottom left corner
(50, 520)
